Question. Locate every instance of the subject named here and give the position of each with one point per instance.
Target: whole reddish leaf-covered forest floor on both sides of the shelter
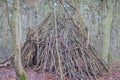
(8, 73)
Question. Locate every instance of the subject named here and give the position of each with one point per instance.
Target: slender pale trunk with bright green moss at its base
(21, 75)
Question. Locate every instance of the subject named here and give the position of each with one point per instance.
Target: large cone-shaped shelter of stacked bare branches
(61, 46)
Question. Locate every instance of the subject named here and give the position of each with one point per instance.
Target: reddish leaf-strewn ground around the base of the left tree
(9, 74)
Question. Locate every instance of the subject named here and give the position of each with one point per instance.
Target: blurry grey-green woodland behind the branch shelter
(94, 13)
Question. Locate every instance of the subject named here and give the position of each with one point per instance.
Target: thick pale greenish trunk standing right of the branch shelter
(107, 21)
